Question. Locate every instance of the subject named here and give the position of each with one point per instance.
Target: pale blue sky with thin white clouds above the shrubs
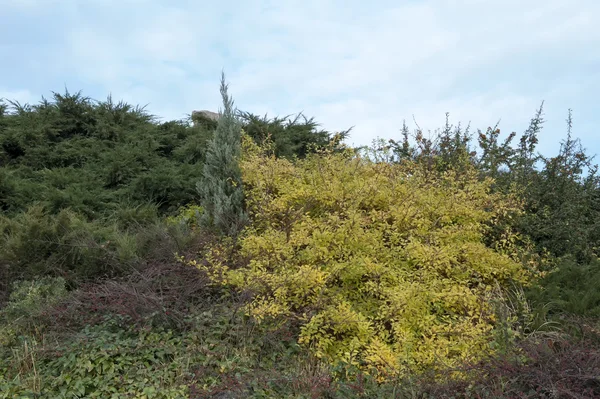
(346, 63)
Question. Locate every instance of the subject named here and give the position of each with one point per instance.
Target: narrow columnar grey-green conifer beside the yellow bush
(221, 188)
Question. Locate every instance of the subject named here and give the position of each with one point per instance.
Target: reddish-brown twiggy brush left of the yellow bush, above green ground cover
(161, 292)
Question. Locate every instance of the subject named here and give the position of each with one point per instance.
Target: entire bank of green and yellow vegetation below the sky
(373, 272)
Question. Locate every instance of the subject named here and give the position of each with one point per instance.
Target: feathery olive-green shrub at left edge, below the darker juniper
(37, 243)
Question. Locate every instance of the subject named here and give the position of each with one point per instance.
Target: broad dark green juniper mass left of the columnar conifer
(94, 158)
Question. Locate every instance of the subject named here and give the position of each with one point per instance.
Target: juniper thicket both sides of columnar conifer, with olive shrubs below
(85, 185)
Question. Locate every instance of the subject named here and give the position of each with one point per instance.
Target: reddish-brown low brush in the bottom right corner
(543, 368)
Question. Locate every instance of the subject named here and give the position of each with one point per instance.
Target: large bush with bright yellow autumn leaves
(384, 266)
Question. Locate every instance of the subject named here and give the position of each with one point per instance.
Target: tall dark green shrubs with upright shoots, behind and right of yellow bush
(560, 193)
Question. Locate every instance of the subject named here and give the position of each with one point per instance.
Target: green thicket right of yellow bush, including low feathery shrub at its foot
(560, 198)
